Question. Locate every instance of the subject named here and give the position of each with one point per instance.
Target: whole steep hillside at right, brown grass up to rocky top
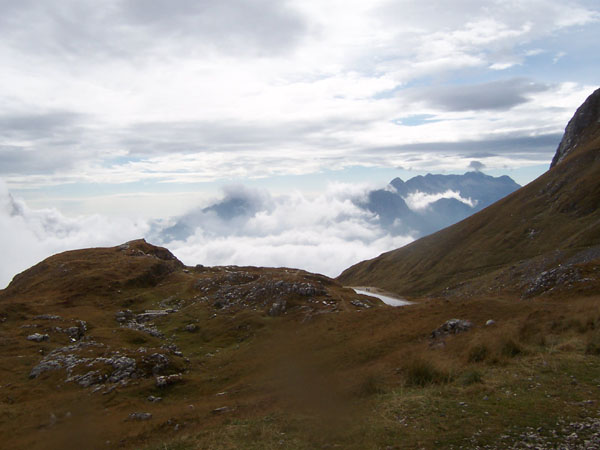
(543, 237)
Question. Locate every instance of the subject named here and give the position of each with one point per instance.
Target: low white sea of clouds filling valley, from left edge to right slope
(325, 234)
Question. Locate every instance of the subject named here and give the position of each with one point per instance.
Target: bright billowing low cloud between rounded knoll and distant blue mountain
(325, 234)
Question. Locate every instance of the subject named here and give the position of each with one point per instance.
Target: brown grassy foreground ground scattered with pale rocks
(278, 358)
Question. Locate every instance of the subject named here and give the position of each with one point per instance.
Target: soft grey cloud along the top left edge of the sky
(140, 29)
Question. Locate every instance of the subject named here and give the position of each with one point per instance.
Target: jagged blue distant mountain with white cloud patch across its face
(425, 204)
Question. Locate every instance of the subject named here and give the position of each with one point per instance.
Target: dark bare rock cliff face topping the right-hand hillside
(586, 118)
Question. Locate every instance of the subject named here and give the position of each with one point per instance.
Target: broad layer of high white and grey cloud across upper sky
(153, 96)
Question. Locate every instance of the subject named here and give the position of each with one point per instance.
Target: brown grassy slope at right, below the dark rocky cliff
(557, 211)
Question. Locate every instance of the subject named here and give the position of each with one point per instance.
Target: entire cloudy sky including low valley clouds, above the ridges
(119, 117)
